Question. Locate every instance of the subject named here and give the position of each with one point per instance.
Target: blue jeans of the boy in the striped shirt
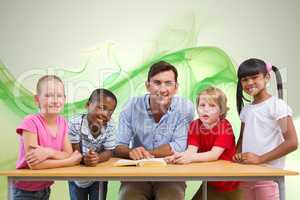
(91, 192)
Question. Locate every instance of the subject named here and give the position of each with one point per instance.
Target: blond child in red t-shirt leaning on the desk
(212, 136)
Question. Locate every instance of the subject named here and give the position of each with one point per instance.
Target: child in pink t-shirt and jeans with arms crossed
(43, 139)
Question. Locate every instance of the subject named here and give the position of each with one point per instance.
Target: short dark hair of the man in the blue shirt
(161, 66)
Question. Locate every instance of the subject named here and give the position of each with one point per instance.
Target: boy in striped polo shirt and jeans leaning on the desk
(93, 134)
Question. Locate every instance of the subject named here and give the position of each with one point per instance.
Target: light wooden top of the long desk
(217, 169)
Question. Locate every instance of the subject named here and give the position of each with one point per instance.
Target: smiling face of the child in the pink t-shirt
(51, 96)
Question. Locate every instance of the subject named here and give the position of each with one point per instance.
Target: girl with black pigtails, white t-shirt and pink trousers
(267, 130)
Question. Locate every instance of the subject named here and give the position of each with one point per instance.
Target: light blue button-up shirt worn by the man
(137, 126)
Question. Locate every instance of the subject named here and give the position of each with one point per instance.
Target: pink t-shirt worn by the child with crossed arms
(36, 124)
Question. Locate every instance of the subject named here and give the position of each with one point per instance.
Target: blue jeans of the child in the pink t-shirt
(19, 194)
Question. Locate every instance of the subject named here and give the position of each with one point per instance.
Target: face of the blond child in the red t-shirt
(209, 111)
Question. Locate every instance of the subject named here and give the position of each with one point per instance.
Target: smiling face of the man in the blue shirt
(162, 87)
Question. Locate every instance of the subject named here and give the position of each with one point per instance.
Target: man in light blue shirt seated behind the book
(154, 125)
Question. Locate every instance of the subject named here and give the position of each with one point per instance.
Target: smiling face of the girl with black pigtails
(254, 84)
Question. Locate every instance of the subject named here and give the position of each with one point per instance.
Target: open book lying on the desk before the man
(150, 162)
